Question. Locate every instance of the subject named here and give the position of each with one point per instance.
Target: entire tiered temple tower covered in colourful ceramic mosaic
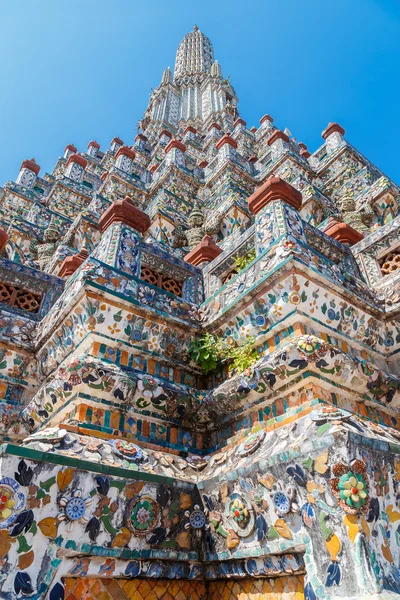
(199, 361)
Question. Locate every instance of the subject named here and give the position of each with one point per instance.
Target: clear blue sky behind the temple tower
(82, 69)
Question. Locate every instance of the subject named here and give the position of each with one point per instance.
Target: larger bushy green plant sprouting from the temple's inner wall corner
(211, 351)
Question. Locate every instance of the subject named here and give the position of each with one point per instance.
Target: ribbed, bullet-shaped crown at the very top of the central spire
(195, 54)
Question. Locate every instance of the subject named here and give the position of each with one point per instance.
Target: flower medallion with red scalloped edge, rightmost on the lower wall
(351, 486)
